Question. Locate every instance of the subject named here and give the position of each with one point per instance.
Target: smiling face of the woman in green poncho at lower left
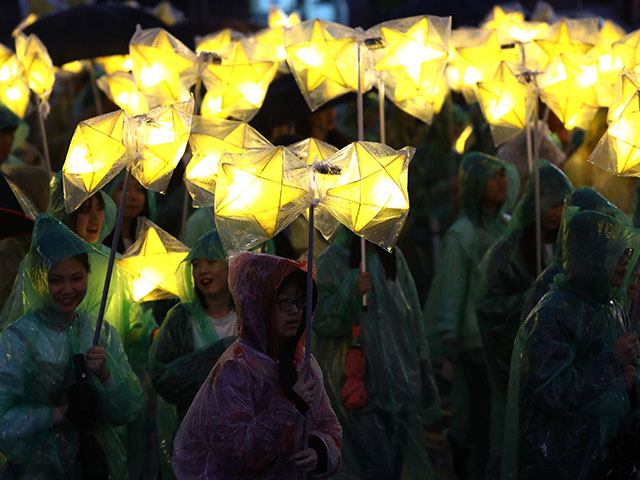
(68, 285)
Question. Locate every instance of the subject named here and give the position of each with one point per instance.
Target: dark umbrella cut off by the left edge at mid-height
(16, 210)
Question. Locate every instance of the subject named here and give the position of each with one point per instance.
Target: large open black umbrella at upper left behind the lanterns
(90, 31)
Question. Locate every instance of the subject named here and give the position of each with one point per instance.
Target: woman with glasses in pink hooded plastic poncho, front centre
(247, 419)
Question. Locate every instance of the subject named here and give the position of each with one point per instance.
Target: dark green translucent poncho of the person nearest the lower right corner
(567, 398)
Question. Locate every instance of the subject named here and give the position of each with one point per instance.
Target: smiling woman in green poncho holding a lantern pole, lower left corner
(60, 398)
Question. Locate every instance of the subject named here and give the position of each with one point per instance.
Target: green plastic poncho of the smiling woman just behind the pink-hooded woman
(187, 345)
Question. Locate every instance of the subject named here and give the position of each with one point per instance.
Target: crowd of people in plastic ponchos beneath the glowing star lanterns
(529, 355)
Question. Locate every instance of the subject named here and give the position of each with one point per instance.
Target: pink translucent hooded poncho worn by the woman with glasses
(241, 424)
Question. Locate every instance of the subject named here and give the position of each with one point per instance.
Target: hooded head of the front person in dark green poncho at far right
(592, 245)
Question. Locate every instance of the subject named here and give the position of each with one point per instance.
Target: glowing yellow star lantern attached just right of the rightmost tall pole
(568, 89)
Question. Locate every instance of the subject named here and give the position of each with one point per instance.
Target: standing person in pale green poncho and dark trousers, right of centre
(488, 188)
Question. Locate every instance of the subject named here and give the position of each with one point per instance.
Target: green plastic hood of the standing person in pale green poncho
(476, 170)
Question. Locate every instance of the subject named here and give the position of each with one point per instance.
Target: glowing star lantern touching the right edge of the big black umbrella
(162, 65)
